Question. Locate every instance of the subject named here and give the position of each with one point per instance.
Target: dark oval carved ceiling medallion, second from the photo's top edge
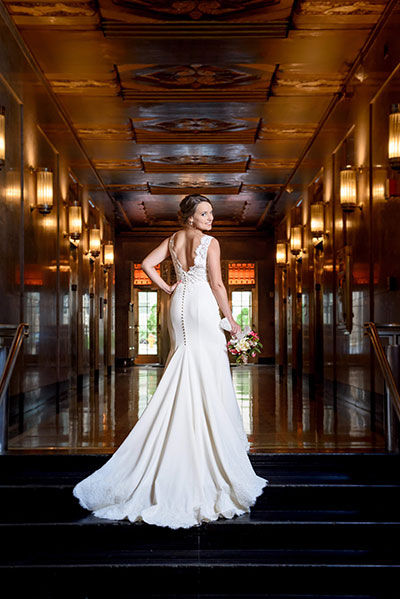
(194, 76)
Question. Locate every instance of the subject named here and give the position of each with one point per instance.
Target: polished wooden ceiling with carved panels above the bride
(172, 97)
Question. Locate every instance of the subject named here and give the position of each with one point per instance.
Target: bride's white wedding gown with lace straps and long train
(185, 461)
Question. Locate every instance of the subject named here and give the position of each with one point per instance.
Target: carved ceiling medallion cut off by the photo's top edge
(194, 9)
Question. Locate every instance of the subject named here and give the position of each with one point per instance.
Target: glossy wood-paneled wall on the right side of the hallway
(357, 134)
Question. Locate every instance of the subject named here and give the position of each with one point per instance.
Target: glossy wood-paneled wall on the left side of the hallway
(44, 281)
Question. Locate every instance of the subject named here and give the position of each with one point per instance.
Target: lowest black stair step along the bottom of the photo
(125, 580)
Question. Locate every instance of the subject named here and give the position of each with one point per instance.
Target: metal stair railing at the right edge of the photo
(392, 396)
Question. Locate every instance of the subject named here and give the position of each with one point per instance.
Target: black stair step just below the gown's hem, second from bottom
(93, 534)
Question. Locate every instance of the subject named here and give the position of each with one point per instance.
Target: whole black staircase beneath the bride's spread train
(327, 526)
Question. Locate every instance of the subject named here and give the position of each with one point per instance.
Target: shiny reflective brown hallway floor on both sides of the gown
(278, 415)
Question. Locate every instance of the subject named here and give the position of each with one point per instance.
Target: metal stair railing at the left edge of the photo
(7, 363)
